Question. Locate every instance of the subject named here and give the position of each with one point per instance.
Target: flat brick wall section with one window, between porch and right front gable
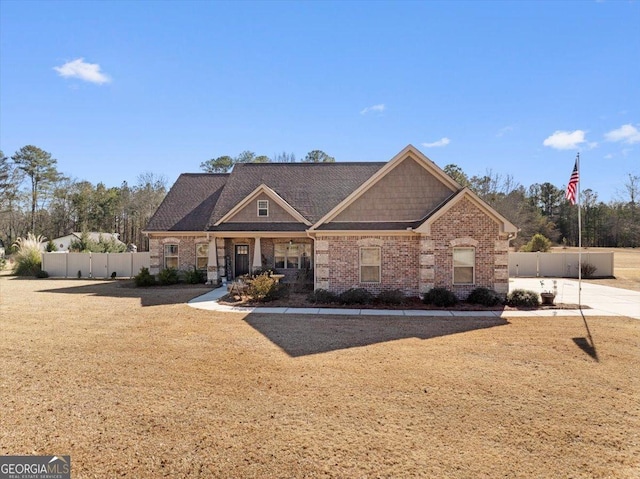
(338, 263)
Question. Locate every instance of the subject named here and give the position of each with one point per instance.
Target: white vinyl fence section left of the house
(94, 265)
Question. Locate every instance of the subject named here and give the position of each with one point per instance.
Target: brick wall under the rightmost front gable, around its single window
(465, 225)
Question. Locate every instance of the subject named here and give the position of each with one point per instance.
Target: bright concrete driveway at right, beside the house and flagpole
(601, 299)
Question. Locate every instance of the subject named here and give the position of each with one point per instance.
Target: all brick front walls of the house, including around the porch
(412, 263)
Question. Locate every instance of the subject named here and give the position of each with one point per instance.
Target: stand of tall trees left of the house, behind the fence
(35, 197)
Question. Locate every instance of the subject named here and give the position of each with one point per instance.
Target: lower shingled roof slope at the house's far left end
(189, 203)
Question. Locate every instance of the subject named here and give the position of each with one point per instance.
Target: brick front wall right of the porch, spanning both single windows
(415, 264)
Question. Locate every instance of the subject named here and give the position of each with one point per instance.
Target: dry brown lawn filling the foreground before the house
(134, 383)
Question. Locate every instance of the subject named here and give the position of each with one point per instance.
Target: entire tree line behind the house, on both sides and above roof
(35, 197)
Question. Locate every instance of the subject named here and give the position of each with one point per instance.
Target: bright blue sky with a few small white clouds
(115, 89)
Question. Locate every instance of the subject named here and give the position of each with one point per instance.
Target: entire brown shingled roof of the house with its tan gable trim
(312, 193)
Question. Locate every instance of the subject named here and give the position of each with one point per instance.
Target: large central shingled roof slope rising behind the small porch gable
(311, 189)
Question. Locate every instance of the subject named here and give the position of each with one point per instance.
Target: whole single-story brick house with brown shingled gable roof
(403, 225)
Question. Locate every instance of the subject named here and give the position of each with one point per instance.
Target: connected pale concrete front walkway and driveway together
(603, 301)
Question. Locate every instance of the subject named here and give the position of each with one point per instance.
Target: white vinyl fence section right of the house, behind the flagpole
(558, 265)
